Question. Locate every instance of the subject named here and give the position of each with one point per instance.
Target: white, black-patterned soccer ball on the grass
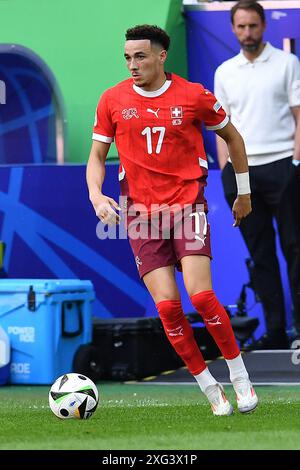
(73, 396)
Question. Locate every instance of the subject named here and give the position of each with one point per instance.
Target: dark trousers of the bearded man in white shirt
(274, 188)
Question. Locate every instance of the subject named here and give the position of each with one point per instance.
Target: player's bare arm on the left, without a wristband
(104, 206)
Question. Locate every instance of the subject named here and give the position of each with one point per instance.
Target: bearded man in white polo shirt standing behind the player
(260, 90)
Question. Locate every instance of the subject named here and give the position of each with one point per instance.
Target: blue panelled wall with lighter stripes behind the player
(49, 228)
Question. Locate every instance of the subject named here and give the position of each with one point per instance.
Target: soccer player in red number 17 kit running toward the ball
(155, 119)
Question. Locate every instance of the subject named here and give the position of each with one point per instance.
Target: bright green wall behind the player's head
(82, 44)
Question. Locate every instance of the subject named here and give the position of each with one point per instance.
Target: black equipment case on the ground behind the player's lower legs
(134, 348)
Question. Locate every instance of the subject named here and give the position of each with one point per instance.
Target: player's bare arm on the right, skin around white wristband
(242, 205)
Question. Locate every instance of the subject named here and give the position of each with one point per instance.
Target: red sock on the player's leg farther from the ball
(217, 322)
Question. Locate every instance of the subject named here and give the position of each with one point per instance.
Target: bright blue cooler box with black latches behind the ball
(46, 321)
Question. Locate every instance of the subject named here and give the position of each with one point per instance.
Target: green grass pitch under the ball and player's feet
(148, 417)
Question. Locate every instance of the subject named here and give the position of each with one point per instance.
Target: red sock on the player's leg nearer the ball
(180, 334)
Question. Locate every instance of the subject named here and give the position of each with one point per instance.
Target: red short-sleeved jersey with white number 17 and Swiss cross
(158, 138)
